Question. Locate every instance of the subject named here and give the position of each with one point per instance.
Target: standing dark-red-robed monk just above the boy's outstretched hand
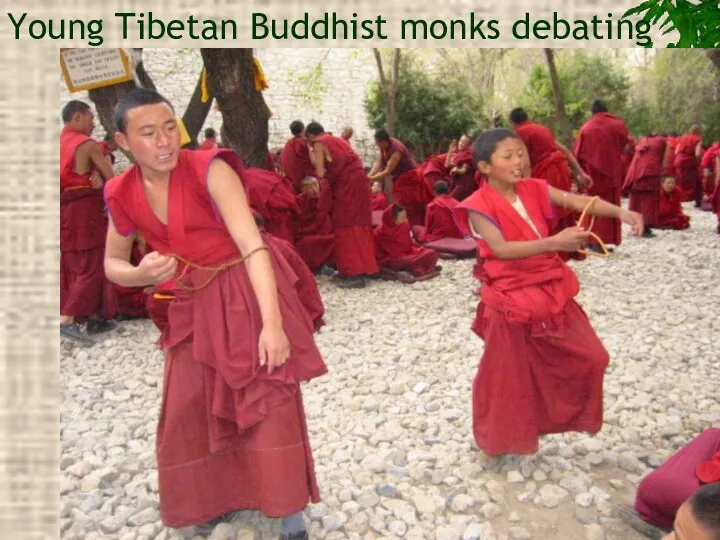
(643, 179)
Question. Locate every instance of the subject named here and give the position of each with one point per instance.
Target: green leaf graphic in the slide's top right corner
(698, 24)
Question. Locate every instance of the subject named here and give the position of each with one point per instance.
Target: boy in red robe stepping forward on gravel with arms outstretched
(543, 365)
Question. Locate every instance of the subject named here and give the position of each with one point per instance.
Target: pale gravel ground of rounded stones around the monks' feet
(390, 424)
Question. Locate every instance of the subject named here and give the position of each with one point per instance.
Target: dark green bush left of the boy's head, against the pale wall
(431, 110)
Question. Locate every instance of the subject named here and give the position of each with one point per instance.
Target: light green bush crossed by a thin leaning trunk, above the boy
(583, 79)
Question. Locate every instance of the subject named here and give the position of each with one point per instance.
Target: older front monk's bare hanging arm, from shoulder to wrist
(227, 191)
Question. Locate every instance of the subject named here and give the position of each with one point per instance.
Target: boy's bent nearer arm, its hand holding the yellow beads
(569, 239)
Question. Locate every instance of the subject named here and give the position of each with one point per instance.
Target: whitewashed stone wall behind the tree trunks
(325, 85)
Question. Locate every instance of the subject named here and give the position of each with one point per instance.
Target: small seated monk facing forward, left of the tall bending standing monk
(314, 237)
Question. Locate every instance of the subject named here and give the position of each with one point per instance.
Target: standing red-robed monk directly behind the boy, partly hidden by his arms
(550, 161)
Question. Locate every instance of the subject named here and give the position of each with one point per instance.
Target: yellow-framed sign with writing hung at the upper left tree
(85, 69)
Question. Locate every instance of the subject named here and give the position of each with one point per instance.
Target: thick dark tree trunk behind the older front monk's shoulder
(244, 111)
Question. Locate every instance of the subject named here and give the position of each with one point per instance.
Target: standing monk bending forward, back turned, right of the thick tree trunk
(351, 214)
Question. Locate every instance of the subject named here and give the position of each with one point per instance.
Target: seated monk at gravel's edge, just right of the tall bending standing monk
(396, 249)
